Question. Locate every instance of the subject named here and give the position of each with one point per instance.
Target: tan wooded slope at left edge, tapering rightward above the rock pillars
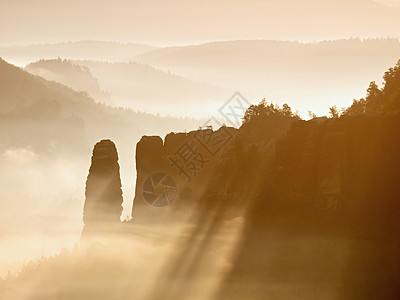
(32, 97)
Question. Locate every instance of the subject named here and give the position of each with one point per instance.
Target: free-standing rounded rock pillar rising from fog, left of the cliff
(103, 201)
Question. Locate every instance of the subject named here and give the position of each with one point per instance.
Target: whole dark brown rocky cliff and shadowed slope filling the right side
(318, 195)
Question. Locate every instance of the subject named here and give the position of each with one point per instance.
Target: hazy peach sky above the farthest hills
(162, 22)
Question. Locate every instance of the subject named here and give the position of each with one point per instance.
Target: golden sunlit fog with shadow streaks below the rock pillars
(120, 268)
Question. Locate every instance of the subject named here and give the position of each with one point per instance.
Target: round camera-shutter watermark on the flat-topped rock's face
(159, 189)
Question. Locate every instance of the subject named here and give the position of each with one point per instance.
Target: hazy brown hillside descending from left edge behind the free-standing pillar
(33, 99)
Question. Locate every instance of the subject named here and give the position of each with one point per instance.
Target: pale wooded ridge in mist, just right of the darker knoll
(145, 88)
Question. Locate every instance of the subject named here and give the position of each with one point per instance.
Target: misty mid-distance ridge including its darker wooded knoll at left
(132, 85)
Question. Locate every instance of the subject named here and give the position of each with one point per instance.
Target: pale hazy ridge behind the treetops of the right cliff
(305, 75)
